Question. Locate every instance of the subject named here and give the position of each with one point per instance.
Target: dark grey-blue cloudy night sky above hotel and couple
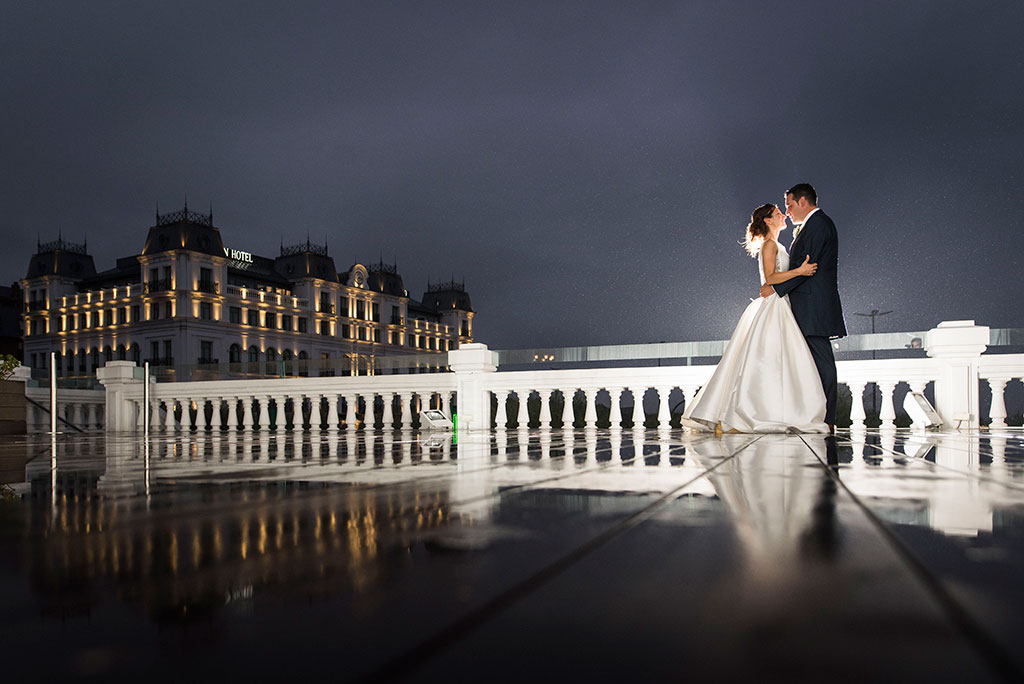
(587, 167)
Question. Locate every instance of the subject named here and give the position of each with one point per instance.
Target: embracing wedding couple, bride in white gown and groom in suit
(778, 373)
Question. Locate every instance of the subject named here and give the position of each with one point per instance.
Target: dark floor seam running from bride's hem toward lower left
(424, 652)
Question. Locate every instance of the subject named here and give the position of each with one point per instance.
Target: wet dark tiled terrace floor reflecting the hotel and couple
(587, 555)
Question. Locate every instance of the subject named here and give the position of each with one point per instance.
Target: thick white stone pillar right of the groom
(958, 347)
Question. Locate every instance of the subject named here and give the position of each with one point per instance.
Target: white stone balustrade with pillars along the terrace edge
(476, 386)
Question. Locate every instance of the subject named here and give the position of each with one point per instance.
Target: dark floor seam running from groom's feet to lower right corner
(991, 652)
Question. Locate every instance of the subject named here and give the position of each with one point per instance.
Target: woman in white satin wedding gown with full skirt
(766, 380)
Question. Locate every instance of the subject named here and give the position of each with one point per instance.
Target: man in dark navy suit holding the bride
(815, 298)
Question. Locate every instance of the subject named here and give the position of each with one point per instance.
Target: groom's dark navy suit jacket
(816, 298)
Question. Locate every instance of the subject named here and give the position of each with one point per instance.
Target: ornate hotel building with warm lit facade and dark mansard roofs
(190, 301)
